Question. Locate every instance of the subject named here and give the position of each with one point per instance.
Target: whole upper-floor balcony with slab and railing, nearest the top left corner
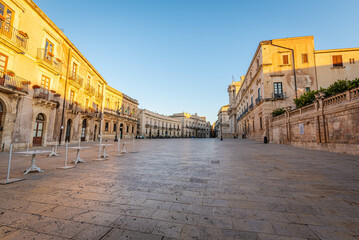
(13, 38)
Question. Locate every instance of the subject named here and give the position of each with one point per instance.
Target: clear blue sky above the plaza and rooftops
(180, 55)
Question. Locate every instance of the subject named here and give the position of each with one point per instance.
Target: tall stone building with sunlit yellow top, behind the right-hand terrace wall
(280, 71)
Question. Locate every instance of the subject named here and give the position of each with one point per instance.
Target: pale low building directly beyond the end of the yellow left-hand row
(154, 125)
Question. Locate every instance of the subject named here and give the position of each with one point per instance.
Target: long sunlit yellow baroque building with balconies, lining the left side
(48, 90)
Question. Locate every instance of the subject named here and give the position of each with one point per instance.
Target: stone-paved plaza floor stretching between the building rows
(185, 189)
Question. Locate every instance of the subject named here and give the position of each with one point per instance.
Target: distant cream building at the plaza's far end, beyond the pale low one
(193, 125)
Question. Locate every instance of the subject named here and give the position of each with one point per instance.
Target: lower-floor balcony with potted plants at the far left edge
(12, 84)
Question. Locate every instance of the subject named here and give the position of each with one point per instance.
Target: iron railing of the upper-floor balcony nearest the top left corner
(17, 37)
